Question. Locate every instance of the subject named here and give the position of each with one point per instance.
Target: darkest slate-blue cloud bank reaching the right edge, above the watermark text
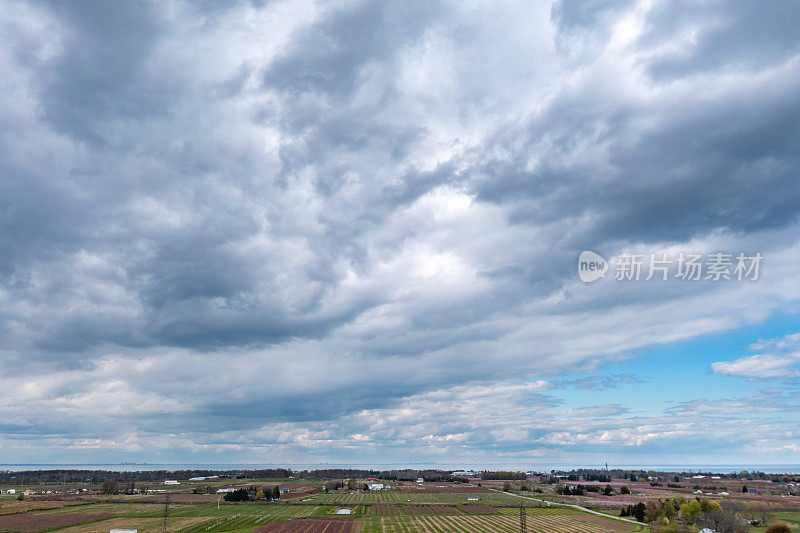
(727, 165)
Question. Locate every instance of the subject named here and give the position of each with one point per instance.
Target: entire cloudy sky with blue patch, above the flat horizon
(348, 231)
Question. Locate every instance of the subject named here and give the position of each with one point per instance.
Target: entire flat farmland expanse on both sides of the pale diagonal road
(429, 507)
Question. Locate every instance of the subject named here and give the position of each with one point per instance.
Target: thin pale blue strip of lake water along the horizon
(540, 467)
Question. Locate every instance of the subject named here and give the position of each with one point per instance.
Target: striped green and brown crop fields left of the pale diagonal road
(100, 517)
